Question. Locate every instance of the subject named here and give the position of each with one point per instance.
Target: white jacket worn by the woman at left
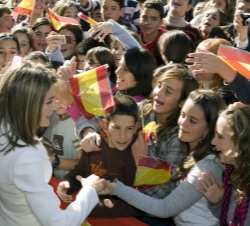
(26, 198)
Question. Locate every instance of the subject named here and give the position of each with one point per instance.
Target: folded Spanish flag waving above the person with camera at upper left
(59, 22)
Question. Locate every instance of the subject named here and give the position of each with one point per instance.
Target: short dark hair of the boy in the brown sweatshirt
(125, 105)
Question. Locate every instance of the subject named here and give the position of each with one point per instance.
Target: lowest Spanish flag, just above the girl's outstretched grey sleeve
(152, 171)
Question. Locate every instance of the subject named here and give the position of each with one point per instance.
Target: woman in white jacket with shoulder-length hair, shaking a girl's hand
(27, 100)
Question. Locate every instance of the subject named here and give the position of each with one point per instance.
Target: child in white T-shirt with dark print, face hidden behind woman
(62, 142)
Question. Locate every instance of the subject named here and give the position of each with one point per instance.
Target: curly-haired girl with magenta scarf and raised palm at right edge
(231, 140)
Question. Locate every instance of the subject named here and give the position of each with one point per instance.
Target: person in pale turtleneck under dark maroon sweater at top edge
(175, 19)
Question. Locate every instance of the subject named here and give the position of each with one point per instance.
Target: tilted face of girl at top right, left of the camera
(210, 20)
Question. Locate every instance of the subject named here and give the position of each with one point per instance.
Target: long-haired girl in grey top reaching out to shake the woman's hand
(196, 129)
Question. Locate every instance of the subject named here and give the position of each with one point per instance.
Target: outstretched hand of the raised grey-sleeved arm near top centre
(101, 30)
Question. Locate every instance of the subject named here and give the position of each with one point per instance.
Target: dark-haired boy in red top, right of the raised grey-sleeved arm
(150, 20)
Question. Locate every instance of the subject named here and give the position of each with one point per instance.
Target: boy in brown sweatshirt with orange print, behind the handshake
(115, 160)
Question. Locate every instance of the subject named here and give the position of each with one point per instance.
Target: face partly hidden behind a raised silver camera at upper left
(68, 49)
